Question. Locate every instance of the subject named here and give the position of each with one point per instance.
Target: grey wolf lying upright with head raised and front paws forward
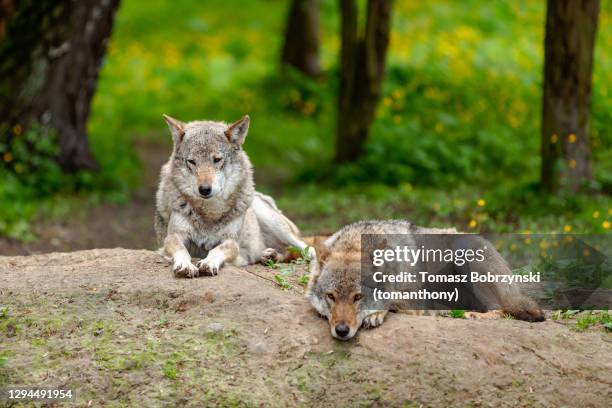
(207, 206)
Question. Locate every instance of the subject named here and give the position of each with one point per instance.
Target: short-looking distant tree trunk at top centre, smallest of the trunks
(301, 49)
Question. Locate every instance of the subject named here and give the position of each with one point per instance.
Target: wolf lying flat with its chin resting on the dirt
(335, 288)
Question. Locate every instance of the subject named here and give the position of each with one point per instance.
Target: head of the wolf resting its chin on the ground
(335, 290)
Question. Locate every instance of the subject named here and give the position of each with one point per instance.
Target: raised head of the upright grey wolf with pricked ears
(207, 159)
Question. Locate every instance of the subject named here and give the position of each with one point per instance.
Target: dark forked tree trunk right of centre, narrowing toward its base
(362, 67)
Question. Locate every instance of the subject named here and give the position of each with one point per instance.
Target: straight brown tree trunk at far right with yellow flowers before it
(566, 107)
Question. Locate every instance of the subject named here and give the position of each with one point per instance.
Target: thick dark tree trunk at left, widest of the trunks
(51, 52)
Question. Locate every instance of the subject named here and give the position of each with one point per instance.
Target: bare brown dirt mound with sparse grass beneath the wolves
(117, 327)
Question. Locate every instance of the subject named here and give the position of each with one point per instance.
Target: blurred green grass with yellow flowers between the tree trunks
(458, 121)
